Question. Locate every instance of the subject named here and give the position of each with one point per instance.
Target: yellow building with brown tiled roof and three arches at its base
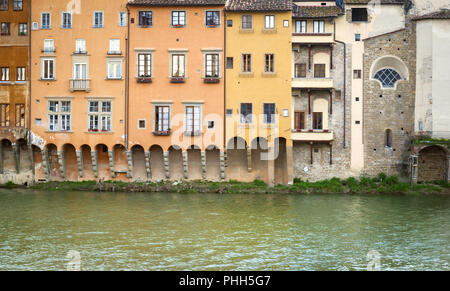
(258, 91)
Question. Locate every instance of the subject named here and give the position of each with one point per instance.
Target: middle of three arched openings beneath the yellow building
(260, 163)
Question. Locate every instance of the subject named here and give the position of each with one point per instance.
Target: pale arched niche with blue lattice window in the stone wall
(389, 68)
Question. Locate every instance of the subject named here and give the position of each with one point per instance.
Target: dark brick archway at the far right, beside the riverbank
(432, 164)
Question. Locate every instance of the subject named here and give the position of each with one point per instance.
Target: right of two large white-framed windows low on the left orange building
(99, 116)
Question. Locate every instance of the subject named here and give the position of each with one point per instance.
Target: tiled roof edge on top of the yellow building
(259, 5)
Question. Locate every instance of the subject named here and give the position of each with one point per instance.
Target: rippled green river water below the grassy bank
(163, 231)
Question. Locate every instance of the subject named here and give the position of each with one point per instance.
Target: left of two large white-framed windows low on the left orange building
(59, 115)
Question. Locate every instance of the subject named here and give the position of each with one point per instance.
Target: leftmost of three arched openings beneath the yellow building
(237, 167)
